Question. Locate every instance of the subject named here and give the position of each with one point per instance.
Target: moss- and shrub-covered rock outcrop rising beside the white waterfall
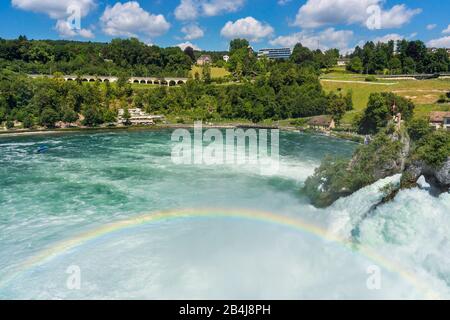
(391, 152)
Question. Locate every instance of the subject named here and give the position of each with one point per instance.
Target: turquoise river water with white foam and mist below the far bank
(87, 181)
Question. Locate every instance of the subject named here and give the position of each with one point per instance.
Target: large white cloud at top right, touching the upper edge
(319, 13)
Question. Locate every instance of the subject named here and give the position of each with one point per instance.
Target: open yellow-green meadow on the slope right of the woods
(423, 93)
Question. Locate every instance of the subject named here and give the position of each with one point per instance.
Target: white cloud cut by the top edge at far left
(55, 9)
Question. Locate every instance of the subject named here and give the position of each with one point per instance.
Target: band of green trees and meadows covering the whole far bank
(243, 87)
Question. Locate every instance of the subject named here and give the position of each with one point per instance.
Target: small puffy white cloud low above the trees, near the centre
(248, 28)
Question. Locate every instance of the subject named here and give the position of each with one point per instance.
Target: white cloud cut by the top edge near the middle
(192, 9)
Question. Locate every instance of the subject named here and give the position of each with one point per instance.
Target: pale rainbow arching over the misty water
(264, 217)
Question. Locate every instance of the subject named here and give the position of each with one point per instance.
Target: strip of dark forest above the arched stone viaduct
(120, 56)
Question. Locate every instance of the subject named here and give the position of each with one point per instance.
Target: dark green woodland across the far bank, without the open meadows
(257, 89)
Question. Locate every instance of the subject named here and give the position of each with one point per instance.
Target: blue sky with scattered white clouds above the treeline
(210, 24)
